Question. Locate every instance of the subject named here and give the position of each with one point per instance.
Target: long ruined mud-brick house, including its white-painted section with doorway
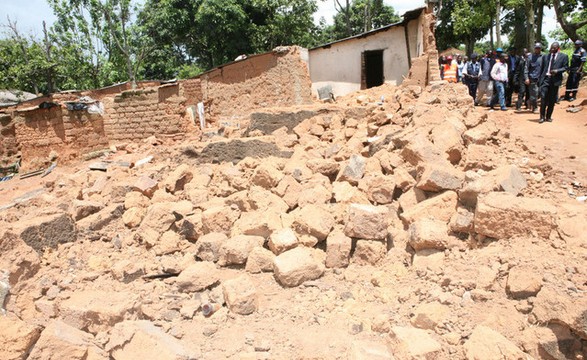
(74, 123)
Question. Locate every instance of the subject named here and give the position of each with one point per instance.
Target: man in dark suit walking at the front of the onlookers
(554, 64)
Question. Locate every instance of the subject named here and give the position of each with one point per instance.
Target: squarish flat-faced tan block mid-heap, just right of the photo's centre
(367, 222)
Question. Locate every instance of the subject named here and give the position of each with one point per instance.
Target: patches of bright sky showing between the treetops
(30, 14)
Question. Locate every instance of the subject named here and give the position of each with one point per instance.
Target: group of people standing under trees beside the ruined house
(533, 75)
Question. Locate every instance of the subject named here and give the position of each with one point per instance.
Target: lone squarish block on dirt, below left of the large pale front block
(240, 295)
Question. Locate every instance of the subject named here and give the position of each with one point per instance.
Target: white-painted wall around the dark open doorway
(339, 65)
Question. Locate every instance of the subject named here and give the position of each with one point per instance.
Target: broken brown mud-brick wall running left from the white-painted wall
(62, 122)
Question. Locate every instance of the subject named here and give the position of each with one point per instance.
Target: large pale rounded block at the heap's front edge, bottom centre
(296, 266)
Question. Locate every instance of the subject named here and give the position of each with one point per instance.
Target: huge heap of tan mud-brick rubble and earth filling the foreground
(396, 223)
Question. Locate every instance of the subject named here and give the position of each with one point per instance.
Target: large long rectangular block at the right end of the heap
(503, 215)
